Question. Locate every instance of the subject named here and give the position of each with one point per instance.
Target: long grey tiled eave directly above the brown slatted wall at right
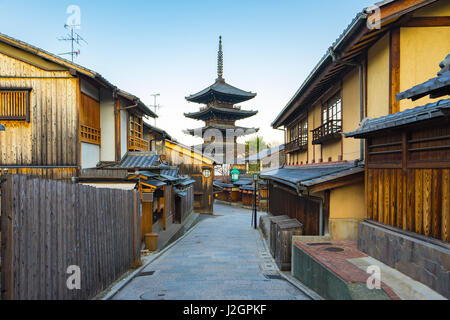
(409, 116)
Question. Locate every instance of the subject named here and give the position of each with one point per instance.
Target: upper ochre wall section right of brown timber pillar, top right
(421, 51)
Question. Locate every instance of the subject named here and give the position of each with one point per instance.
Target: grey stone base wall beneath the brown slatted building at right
(423, 261)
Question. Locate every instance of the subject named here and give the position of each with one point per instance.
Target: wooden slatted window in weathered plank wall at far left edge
(15, 104)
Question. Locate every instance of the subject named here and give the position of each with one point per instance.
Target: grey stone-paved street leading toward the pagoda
(223, 258)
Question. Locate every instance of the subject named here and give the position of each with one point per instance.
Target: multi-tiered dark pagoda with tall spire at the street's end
(220, 114)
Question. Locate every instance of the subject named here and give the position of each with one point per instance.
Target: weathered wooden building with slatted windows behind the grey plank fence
(61, 118)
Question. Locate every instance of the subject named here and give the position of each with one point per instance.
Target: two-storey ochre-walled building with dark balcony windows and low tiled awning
(322, 183)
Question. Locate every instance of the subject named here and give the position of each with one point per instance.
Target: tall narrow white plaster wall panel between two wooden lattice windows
(107, 126)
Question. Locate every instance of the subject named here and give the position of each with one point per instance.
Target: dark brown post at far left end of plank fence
(7, 249)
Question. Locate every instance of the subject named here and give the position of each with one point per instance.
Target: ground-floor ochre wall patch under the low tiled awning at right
(346, 211)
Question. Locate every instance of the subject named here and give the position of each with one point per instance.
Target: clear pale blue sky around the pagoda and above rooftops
(170, 47)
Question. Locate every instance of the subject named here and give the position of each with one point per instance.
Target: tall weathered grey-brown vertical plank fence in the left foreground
(47, 226)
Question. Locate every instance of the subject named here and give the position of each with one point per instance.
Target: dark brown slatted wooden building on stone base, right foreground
(408, 186)
